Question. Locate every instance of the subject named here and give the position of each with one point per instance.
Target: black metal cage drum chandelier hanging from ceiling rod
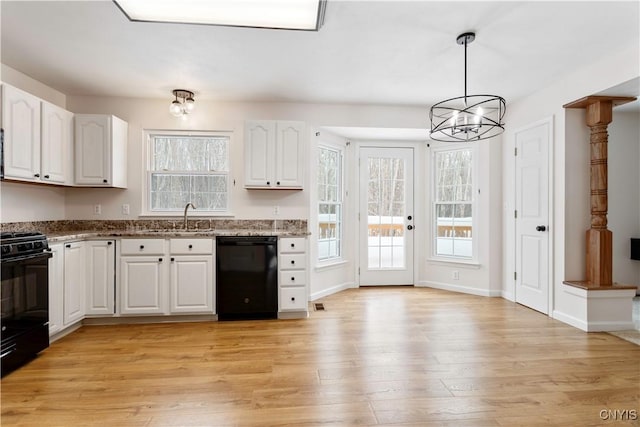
(469, 117)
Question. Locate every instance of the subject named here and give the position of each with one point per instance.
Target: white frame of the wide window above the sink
(147, 172)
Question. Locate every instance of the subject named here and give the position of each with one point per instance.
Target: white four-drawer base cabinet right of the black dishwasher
(292, 274)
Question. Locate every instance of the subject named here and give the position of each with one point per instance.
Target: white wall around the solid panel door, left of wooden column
(621, 66)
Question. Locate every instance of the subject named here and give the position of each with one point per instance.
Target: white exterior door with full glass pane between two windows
(386, 216)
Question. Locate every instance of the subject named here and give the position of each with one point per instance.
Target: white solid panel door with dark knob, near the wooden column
(532, 217)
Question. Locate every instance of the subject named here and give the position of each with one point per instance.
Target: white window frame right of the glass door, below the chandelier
(440, 148)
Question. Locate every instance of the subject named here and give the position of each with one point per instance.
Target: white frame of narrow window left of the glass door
(340, 203)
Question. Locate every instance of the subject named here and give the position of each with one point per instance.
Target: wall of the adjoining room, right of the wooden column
(624, 199)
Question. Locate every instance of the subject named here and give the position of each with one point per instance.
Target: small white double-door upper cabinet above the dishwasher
(274, 154)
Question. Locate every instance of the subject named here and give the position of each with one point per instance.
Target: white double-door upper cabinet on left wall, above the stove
(38, 138)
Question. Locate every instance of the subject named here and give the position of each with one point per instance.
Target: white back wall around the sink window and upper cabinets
(144, 114)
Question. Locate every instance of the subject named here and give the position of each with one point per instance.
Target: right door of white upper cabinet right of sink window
(289, 156)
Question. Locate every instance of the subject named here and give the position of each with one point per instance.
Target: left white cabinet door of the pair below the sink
(142, 285)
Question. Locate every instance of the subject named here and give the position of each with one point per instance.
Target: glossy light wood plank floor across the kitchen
(376, 356)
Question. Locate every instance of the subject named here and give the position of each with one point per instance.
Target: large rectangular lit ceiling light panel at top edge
(278, 14)
